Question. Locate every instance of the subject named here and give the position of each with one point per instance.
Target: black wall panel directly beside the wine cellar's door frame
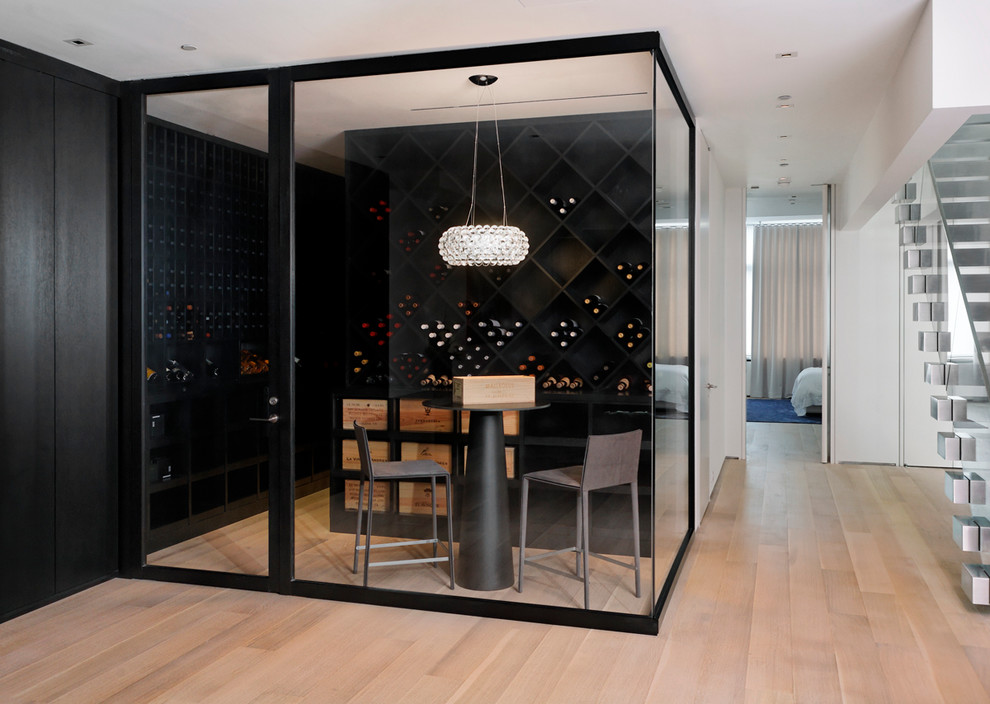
(85, 363)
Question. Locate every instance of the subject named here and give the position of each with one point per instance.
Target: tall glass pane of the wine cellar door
(206, 330)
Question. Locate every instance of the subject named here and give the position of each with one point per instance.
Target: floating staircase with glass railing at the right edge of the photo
(959, 174)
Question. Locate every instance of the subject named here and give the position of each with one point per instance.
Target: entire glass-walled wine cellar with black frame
(293, 285)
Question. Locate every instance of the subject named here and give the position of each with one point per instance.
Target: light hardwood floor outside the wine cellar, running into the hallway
(804, 583)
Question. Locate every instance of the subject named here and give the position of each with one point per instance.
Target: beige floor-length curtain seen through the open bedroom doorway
(788, 310)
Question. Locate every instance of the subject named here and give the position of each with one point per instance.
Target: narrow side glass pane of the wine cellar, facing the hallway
(673, 382)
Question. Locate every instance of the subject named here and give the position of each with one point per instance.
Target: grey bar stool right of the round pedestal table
(609, 460)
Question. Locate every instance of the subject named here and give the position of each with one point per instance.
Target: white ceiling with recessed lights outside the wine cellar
(722, 50)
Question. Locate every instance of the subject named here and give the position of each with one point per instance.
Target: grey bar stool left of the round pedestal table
(395, 471)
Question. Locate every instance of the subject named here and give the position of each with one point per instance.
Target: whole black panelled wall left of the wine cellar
(58, 337)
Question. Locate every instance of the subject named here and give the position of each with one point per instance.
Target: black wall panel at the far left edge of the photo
(27, 395)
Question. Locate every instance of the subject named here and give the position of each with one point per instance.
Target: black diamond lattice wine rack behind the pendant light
(576, 312)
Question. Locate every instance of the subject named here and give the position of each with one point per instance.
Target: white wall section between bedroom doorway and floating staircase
(866, 342)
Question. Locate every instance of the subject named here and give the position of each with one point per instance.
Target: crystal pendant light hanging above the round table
(484, 245)
